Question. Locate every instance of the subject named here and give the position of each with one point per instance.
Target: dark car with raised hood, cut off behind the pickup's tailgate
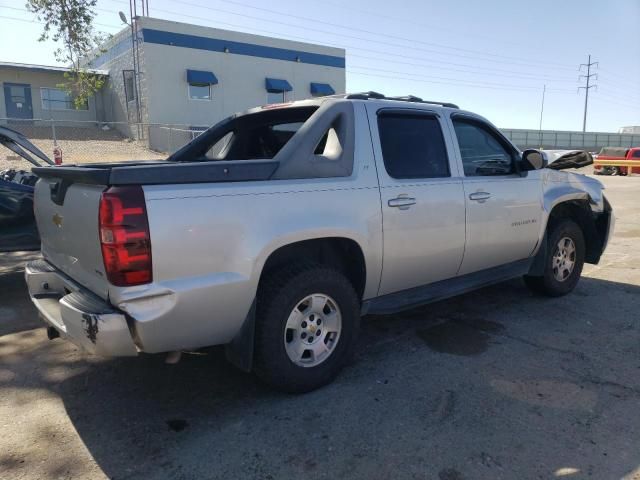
(18, 229)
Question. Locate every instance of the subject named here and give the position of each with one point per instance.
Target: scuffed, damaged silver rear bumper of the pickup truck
(79, 315)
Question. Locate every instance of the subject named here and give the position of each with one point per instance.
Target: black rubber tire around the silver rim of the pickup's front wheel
(549, 284)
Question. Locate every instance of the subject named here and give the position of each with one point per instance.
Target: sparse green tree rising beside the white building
(70, 23)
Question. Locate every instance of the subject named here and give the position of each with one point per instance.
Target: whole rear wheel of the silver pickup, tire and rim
(306, 328)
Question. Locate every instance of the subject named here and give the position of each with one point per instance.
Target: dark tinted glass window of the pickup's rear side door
(412, 146)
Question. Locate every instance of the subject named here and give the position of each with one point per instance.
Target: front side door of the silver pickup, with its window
(504, 208)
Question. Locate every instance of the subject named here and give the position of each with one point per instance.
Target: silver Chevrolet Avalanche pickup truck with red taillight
(276, 229)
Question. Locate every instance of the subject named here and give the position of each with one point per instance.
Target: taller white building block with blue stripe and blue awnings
(193, 76)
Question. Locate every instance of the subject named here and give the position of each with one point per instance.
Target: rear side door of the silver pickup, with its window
(422, 198)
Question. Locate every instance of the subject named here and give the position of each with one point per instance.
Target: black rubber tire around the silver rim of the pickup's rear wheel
(279, 293)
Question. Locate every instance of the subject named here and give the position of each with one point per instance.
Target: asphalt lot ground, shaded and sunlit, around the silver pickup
(496, 384)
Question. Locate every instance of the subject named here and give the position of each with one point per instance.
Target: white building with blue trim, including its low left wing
(190, 77)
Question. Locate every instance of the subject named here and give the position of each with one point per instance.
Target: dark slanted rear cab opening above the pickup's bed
(255, 136)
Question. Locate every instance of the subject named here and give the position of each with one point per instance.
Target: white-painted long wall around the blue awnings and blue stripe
(241, 78)
